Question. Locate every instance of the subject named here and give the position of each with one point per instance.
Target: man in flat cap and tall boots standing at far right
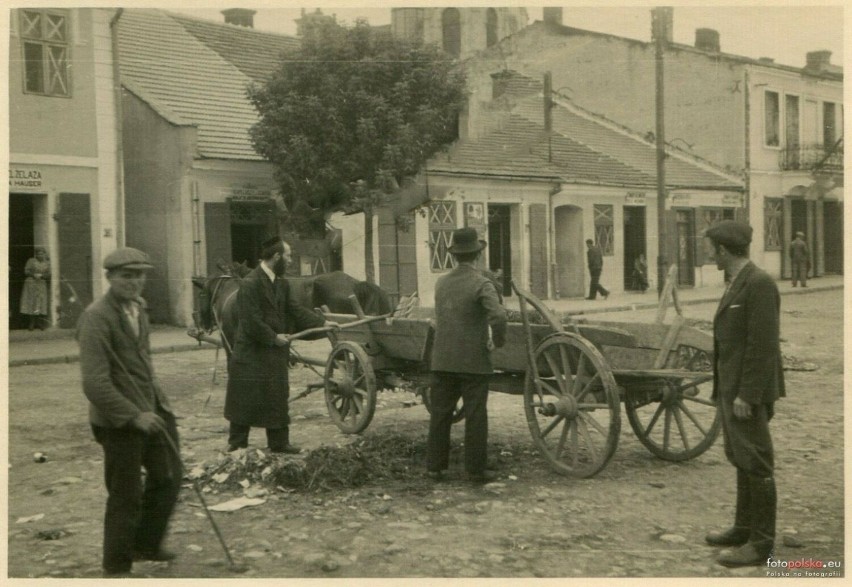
(747, 380)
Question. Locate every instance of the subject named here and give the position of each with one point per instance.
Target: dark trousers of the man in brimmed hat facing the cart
(447, 388)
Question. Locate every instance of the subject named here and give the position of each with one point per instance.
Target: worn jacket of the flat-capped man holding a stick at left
(118, 376)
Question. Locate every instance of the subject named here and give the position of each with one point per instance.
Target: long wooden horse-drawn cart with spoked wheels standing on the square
(573, 379)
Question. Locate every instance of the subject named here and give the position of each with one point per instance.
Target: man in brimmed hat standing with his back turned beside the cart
(466, 304)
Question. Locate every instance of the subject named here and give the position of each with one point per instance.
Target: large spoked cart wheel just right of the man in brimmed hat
(573, 409)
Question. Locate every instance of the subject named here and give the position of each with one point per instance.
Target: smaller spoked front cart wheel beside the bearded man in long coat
(350, 387)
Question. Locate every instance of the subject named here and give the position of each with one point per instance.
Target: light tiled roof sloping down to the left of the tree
(168, 65)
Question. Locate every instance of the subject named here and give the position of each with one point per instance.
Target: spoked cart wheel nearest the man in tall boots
(676, 419)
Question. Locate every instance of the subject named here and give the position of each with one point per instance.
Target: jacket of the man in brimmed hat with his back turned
(466, 303)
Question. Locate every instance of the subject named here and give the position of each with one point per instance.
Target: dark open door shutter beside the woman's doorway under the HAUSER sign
(75, 257)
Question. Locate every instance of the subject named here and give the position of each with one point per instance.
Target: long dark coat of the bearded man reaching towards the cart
(258, 387)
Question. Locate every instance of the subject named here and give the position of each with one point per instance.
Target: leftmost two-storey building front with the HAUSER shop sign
(65, 173)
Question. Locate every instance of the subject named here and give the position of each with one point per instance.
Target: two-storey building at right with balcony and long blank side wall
(778, 126)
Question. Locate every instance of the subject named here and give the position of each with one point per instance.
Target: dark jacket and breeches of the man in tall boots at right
(747, 364)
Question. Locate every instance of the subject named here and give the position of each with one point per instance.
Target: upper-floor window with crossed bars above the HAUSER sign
(45, 47)
